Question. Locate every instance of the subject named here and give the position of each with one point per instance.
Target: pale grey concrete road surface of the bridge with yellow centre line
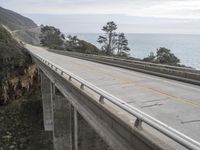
(174, 103)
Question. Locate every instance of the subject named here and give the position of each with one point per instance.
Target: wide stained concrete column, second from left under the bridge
(62, 131)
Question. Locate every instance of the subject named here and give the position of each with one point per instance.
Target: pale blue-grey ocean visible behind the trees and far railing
(185, 47)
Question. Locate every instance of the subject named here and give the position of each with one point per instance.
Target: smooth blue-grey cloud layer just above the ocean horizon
(127, 24)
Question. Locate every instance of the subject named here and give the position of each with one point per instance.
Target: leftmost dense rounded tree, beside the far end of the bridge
(51, 37)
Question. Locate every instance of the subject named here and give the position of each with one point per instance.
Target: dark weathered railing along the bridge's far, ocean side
(183, 74)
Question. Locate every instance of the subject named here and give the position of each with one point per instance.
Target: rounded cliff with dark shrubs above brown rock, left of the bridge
(17, 72)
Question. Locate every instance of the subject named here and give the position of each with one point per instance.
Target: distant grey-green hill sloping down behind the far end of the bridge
(22, 27)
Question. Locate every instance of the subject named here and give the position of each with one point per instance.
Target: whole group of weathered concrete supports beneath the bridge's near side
(70, 130)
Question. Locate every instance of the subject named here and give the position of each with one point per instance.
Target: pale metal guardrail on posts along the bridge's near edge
(168, 131)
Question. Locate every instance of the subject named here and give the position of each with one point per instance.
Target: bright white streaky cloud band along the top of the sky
(150, 8)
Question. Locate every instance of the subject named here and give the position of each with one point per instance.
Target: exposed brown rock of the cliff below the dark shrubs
(16, 84)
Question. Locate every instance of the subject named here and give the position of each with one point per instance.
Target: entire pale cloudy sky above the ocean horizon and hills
(131, 16)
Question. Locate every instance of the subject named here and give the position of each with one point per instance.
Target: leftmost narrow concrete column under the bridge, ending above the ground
(46, 102)
